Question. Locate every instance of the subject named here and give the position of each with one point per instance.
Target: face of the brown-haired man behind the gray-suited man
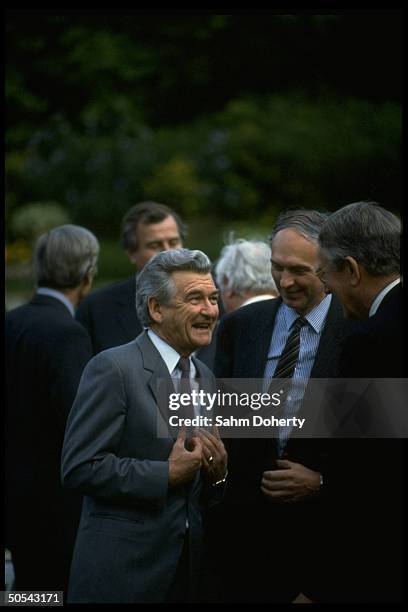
(153, 238)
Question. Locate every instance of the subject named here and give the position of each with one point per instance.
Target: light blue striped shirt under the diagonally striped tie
(309, 341)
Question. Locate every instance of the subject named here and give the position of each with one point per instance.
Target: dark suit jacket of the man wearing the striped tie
(274, 538)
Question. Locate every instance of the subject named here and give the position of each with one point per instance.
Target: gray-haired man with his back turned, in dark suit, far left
(46, 351)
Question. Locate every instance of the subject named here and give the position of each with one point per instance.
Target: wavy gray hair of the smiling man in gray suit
(154, 280)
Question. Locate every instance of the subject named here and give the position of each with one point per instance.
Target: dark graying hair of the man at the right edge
(367, 232)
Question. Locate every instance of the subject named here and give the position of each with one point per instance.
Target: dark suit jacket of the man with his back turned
(46, 351)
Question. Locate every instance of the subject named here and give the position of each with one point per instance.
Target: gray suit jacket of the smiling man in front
(132, 526)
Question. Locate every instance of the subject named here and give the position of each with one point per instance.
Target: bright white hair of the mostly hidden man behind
(245, 266)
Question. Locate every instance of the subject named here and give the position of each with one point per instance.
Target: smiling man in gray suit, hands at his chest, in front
(140, 536)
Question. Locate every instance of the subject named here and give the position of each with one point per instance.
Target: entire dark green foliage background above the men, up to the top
(228, 118)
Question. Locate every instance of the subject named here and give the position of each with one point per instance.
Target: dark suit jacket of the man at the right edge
(362, 554)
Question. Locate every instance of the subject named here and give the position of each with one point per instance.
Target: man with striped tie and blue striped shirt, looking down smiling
(276, 486)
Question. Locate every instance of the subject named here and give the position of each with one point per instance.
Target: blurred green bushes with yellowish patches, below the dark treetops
(256, 157)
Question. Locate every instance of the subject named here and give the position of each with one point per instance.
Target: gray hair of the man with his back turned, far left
(64, 256)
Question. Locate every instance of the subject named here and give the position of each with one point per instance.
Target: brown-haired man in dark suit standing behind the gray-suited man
(109, 314)
